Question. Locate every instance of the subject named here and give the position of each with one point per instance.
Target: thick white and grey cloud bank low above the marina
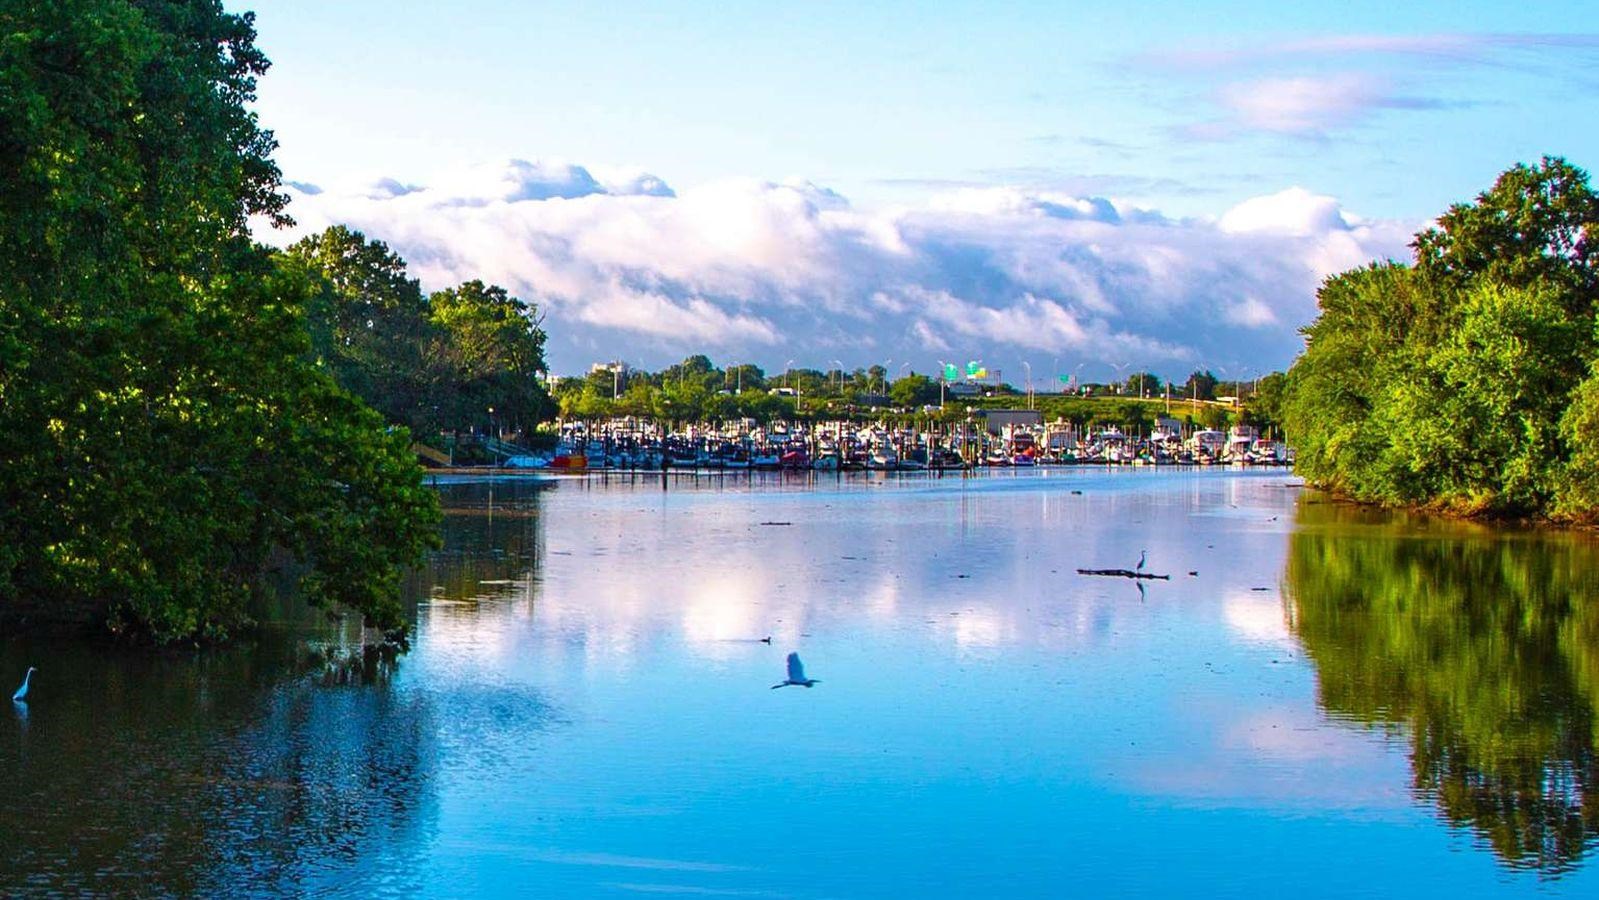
(628, 268)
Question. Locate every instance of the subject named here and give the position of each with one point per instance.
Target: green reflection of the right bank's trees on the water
(1485, 647)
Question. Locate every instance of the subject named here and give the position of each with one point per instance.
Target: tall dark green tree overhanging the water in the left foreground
(165, 432)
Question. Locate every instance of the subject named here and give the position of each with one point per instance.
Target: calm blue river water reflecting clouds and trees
(1334, 704)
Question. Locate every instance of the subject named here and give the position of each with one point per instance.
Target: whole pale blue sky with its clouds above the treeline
(1186, 111)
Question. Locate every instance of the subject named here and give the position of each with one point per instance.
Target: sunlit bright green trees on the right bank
(1454, 381)
